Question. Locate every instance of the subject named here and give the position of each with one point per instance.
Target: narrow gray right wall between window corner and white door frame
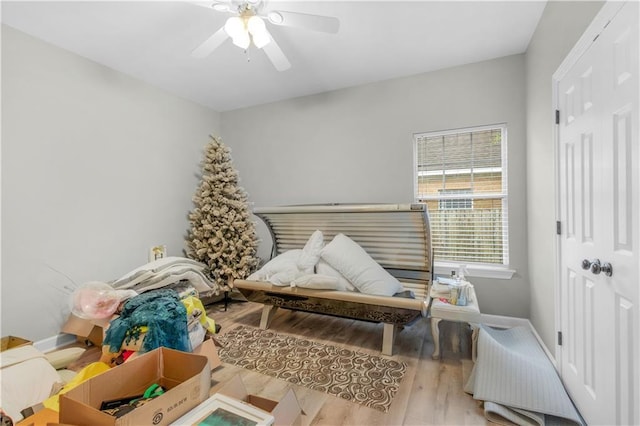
(560, 27)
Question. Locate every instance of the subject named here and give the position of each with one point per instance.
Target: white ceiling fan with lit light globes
(247, 25)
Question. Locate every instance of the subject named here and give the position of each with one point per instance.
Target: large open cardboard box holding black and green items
(185, 377)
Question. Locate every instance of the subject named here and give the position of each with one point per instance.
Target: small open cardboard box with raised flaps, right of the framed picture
(287, 411)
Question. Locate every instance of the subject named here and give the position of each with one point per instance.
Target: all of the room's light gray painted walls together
(97, 167)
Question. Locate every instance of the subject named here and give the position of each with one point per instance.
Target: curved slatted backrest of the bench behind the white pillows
(397, 236)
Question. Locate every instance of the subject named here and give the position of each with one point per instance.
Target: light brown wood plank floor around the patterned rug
(431, 392)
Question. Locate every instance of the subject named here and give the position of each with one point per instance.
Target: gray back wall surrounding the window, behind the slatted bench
(355, 145)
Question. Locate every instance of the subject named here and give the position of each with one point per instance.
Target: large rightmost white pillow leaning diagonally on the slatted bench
(357, 266)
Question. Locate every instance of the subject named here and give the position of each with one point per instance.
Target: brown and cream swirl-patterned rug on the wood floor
(366, 379)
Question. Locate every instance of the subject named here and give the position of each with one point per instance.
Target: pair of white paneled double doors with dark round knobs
(599, 193)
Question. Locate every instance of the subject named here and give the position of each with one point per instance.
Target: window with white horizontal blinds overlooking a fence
(461, 176)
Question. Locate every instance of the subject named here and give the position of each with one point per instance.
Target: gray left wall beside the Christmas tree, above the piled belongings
(97, 167)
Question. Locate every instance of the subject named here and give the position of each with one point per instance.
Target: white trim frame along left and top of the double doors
(601, 20)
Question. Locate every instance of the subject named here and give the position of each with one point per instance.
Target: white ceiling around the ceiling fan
(377, 40)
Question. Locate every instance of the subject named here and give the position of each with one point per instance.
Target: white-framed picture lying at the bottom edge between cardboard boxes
(221, 410)
